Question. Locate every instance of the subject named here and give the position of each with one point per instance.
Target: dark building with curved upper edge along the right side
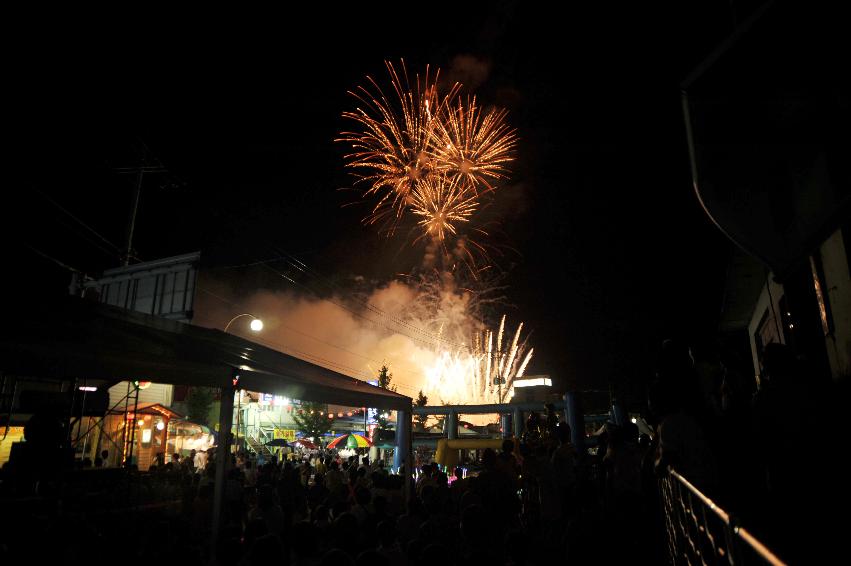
(767, 127)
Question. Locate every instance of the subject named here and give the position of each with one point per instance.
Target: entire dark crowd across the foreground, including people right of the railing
(536, 500)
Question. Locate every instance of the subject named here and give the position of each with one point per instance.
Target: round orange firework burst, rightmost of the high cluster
(472, 146)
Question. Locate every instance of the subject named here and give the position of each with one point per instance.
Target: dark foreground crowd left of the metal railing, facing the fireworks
(530, 502)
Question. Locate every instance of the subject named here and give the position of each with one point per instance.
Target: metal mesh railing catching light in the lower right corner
(700, 532)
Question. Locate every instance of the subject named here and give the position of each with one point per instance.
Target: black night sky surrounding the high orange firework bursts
(613, 250)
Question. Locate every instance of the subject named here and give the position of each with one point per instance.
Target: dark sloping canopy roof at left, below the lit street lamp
(77, 338)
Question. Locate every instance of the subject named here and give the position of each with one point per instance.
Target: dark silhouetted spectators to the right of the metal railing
(755, 447)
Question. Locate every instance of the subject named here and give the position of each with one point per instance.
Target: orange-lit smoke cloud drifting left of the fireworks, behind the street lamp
(350, 336)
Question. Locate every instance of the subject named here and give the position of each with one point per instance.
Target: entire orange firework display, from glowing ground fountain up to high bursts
(435, 158)
